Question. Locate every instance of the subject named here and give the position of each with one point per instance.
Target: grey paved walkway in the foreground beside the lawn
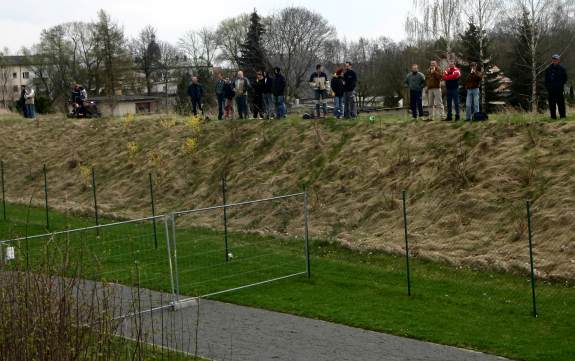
(230, 332)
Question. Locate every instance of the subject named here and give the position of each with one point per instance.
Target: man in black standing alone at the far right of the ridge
(555, 80)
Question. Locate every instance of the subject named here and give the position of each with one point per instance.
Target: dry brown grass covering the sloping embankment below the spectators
(467, 183)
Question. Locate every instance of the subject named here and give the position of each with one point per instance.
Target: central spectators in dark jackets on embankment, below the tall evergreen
(267, 94)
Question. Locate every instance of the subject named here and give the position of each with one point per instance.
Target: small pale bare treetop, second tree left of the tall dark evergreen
(201, 46)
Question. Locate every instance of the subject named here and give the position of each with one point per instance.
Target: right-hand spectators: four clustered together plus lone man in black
(416, 82)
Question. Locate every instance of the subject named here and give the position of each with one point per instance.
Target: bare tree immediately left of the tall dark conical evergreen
(231, 33)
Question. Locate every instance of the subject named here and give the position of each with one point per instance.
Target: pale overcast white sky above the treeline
(21, 23)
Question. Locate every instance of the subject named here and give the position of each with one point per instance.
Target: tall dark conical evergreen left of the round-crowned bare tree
(253, 57)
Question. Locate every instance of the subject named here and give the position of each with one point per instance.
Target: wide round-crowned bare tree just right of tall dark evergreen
(294, 40)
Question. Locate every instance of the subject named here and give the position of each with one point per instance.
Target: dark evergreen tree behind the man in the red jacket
(475, 48)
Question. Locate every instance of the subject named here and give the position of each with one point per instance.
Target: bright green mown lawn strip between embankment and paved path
(484, 311)
